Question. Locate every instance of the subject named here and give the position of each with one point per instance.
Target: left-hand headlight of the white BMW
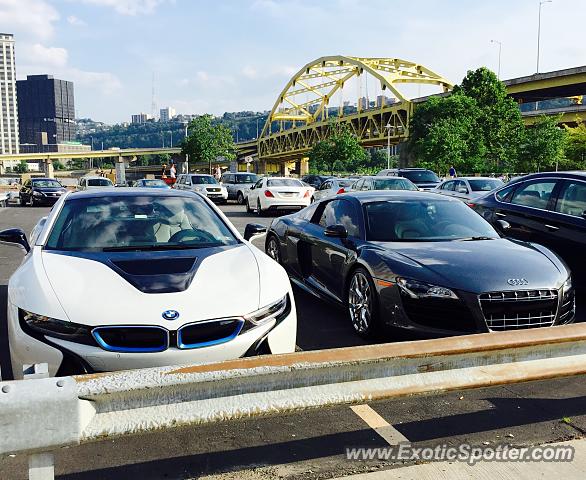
(41, 325)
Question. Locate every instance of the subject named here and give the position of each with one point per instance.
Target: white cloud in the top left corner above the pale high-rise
(32, 17)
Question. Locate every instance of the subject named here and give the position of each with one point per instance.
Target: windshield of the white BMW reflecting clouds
(126, 223)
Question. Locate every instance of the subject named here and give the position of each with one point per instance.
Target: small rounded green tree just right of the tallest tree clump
(544, 145)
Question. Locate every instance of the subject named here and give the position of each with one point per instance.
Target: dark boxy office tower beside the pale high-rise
(46, 112)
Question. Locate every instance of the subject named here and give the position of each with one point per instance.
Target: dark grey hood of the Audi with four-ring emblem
(479, 266)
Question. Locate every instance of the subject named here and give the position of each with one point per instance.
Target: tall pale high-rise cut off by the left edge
(9, 142)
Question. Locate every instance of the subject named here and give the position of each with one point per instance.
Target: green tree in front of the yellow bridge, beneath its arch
(339, 152)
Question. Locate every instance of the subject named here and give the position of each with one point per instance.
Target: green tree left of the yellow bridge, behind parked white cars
(206, 141)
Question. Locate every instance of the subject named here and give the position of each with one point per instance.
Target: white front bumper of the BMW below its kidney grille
(271, 337)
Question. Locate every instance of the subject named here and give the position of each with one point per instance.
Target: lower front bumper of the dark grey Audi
(430, 318)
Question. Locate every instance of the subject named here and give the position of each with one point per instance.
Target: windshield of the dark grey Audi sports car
(424, 221)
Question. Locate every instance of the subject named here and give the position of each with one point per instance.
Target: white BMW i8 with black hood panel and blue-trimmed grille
(130, 278)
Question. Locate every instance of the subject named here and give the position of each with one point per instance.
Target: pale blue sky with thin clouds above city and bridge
(230, 55)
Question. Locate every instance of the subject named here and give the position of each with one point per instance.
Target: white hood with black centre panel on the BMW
(137, 287)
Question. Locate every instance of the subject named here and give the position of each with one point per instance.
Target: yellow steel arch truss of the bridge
(301, 124)
